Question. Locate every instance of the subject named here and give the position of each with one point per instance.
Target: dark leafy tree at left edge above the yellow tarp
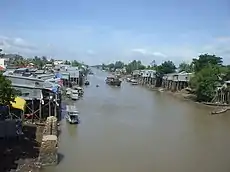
(7, 93)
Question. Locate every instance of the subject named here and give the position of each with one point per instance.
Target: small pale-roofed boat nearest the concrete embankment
(72, 114)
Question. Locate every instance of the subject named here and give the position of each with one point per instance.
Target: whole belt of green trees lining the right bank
(209, 73)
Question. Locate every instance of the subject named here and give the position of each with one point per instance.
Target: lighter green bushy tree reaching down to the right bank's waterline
(205, 82)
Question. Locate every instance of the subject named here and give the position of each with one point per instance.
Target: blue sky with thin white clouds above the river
(104, 31)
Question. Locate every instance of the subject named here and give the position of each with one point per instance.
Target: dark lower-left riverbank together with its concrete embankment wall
(32, 150)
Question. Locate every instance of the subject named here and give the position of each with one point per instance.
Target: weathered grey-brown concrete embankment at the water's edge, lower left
(46, 136)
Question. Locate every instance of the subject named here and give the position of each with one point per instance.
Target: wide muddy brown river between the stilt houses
(133, 129)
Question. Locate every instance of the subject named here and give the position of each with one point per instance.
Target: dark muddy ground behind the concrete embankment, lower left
(20, 154)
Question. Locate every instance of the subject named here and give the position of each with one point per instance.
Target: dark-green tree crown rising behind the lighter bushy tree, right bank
(204, 60)
